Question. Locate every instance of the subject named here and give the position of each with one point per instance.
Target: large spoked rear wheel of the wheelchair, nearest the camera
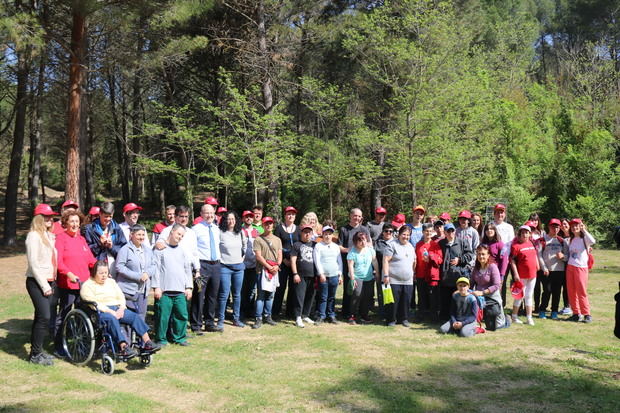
(78, 337)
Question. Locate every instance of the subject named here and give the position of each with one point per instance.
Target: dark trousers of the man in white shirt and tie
(204, 296)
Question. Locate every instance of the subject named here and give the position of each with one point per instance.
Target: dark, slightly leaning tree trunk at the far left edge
(12, 184)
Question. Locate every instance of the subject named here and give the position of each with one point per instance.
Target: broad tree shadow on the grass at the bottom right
(464, 386)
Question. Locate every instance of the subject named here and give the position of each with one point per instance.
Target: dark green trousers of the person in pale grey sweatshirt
(171, 309)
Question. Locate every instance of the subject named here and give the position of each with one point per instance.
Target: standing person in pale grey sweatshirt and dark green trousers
(172, 285)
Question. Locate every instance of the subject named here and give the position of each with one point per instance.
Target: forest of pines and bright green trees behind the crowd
(324, 105)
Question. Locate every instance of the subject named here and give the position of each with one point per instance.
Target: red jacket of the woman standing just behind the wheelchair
(73, 256)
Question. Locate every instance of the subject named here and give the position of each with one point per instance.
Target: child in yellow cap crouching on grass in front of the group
(463, 311)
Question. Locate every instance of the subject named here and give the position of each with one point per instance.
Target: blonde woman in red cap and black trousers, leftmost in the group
(40, 276)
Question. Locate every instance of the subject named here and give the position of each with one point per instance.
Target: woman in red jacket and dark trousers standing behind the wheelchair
(74, 261)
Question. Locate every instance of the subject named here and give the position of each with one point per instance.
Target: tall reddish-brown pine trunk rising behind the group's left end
(76, 74)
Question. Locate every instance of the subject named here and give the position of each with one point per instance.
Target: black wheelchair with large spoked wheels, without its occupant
(83, 333)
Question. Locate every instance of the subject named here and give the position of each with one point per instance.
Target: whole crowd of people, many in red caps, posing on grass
(256, 265)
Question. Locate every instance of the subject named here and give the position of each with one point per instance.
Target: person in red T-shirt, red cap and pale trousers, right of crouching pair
(524, 261)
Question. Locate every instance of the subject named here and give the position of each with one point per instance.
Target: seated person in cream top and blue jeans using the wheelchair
(112, 309)
